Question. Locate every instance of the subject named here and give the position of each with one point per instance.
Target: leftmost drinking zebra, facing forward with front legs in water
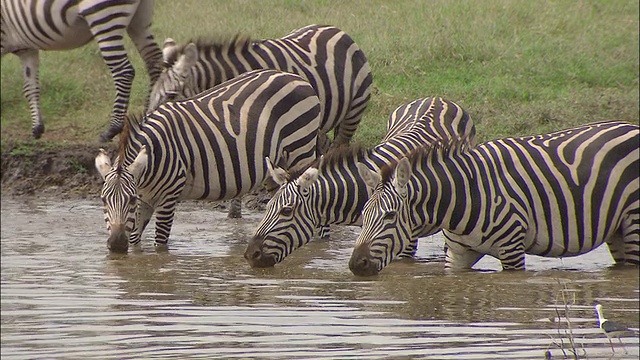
(209, 147)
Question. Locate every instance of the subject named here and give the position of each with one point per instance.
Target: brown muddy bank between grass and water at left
(40, 168)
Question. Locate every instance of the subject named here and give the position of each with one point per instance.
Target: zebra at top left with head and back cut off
(28, 26)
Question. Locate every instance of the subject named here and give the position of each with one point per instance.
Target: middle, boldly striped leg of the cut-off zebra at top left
(108, 27)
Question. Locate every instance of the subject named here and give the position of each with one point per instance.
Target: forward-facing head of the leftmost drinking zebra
(119, 197)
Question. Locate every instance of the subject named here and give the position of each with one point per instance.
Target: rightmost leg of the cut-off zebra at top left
(140, 33)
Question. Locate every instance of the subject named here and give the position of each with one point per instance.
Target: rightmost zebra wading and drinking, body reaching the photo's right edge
(555, 195)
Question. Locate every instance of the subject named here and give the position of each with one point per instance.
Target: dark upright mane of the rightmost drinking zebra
(429, 153)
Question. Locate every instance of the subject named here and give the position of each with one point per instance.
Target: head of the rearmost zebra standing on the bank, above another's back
(176, 81)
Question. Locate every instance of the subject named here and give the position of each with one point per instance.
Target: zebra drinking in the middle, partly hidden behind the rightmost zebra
(332, 192)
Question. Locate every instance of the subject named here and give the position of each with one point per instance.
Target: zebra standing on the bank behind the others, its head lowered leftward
(324, 55)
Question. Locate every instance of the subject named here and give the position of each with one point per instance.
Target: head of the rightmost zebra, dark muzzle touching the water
(386, 232)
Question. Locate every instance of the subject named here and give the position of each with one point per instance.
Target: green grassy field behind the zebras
(518, 67)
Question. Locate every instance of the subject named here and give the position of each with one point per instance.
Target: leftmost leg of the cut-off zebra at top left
(30, 66)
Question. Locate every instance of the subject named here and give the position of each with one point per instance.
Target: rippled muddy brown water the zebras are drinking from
(64, 296)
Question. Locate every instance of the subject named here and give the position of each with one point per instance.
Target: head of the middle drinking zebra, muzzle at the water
(289, 221)
